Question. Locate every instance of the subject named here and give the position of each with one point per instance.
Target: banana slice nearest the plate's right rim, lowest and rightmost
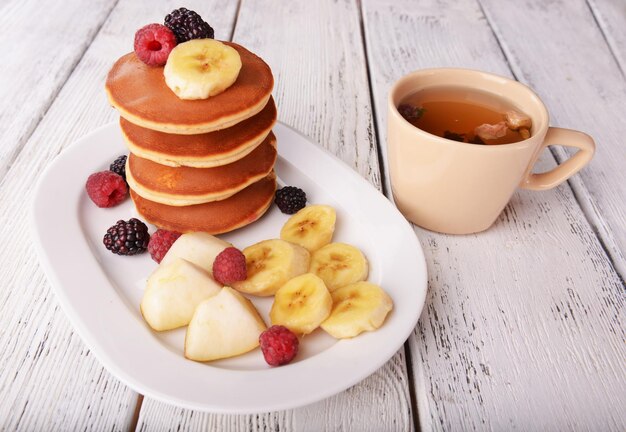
(359, 307)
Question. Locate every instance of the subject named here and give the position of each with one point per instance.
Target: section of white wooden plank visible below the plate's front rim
(368, 406)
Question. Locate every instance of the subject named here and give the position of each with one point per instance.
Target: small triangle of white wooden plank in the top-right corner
(611, 16)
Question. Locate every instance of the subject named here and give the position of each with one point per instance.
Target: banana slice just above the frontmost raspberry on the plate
(302, 304)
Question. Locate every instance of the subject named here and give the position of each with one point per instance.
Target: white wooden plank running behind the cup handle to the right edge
(587, 91)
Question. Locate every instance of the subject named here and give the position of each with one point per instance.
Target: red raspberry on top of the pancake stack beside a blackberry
(153, 44)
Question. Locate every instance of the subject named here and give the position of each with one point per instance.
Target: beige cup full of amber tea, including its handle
(461, 141)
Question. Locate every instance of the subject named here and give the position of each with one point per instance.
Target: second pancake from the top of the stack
(204, 150)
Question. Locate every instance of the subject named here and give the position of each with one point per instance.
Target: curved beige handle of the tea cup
(556, 176)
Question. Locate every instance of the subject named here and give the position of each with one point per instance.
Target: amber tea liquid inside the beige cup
(455, 113)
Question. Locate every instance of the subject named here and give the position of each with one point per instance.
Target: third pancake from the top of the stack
(183, 186)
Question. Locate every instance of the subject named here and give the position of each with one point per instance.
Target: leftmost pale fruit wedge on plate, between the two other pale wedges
(173, 292)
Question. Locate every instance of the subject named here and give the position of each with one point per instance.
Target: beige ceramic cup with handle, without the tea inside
(460, 188)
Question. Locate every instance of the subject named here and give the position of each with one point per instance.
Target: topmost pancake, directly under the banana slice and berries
(140, 94)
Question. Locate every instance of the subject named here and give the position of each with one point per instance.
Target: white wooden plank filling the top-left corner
(41, 45)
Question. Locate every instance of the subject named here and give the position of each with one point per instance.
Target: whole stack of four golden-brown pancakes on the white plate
(197, 165)
